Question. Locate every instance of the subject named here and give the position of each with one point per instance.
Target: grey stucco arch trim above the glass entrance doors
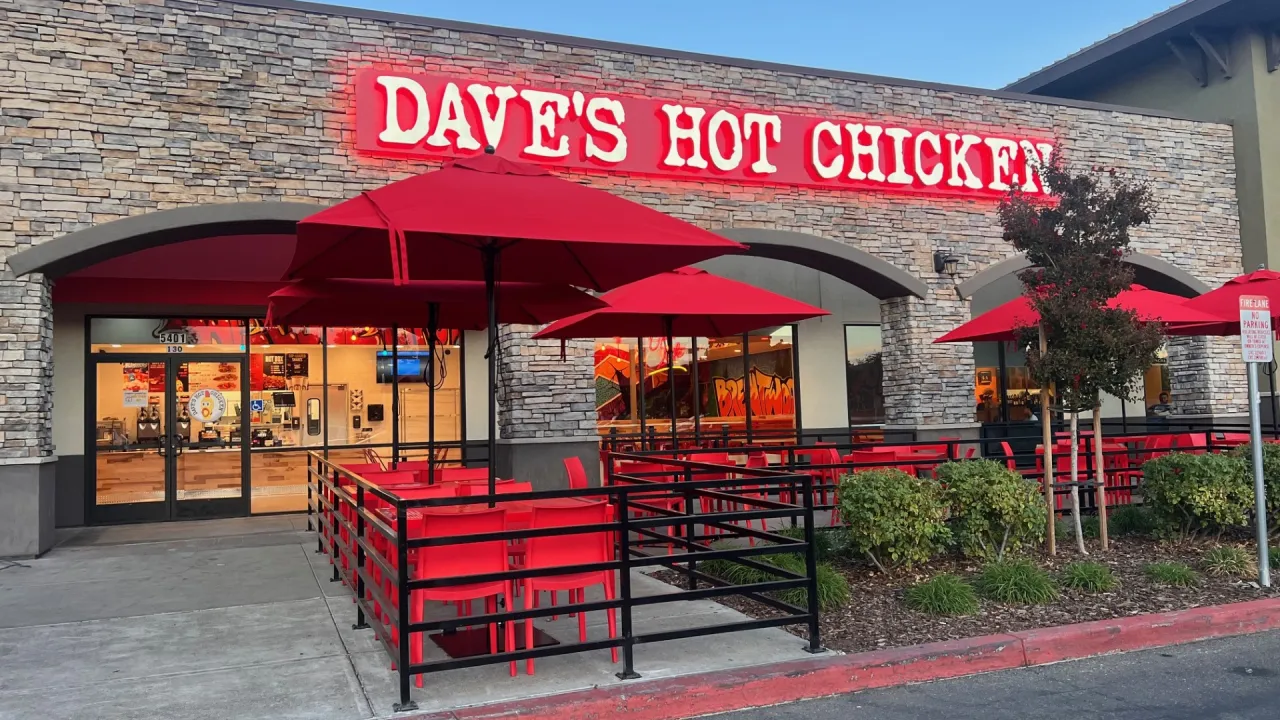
(83, 249)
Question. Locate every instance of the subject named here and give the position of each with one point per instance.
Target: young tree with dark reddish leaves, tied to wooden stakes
(1077, 248)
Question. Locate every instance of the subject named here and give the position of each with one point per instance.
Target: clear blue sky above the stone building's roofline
(976, 43)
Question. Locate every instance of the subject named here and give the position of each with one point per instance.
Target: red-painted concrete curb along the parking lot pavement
(787, 682)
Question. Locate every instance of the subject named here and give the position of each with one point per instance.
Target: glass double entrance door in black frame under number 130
(167, 438)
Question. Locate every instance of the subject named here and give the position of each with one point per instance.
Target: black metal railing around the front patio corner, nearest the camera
(665, 517)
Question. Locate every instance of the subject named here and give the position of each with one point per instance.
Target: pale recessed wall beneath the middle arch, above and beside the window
(821, 341)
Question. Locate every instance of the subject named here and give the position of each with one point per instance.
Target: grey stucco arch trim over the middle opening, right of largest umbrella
(857, 267)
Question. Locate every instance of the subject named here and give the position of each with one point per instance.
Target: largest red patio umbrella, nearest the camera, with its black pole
(495, 220)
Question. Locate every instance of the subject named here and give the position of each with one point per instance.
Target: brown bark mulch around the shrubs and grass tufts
(877, 618)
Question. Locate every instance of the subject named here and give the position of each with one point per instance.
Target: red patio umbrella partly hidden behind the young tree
(1000, 323)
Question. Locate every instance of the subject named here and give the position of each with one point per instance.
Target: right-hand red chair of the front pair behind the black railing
(582, 549)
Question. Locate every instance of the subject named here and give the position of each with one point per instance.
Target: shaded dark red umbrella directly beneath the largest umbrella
(454, 304)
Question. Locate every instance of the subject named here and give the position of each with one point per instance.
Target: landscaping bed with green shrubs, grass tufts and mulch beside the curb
(926, 560)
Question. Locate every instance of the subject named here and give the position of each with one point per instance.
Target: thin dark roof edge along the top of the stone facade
(460, 26)
